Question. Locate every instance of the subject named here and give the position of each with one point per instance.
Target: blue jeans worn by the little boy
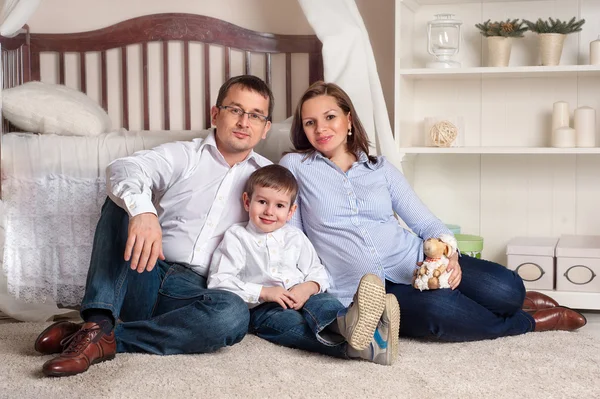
(304, 329)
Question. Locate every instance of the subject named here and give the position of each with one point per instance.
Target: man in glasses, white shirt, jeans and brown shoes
(167, 211)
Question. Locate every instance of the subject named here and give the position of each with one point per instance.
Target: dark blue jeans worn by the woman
(487, 304)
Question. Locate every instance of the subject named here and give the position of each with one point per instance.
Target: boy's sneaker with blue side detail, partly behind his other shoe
(383, 348)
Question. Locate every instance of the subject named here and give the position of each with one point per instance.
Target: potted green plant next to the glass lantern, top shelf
(499, 36)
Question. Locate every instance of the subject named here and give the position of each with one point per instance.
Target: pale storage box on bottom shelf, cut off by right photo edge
(578, 263)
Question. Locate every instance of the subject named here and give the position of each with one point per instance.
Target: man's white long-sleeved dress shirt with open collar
(191, 188)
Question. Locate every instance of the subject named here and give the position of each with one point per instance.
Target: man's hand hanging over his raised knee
(144, 243)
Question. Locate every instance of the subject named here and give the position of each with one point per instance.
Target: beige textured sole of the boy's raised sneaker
(371, 303)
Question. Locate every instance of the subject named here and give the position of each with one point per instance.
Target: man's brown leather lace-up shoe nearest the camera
(89, 345)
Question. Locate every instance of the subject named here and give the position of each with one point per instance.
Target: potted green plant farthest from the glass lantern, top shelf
(552, 34)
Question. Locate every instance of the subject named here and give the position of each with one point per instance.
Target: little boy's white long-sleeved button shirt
(248, 259)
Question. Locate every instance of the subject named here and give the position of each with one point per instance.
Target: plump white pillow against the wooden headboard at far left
(47, 108)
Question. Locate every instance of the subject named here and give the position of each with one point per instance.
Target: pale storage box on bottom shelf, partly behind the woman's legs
(533, 260)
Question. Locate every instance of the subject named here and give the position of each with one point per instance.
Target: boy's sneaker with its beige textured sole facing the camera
(360, 321)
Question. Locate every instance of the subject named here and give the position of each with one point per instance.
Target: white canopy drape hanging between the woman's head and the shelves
(349, 62)
